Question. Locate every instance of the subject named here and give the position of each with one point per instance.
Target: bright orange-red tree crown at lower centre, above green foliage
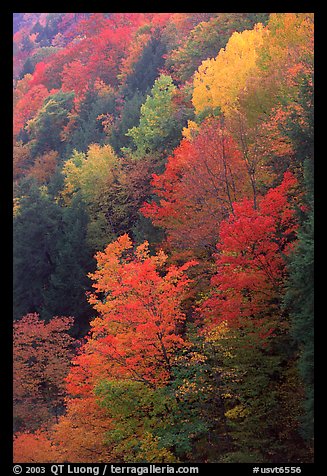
(140, 312)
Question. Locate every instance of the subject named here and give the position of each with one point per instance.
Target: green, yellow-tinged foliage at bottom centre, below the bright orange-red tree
(163, 424)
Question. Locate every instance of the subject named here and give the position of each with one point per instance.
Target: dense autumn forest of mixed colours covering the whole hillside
(163, 237)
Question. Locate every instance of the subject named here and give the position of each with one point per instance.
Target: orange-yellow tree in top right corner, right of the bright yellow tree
(284, 59)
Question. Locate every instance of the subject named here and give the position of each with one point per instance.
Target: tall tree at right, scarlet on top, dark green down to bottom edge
(248, 330)
